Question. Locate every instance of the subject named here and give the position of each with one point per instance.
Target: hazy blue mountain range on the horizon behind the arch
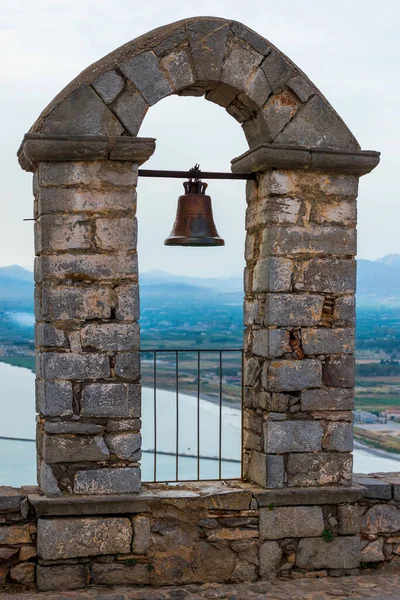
(378, 285)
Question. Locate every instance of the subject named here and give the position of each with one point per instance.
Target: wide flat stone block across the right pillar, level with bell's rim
(315, 239)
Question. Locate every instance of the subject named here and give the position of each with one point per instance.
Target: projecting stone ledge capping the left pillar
(36, 148)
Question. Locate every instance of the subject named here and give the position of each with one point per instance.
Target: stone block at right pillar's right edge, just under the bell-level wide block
(329, 275)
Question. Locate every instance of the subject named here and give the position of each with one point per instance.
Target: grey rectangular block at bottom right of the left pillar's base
(108, 481)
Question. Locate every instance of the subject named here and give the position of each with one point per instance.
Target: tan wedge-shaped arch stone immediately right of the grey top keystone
(240, 61)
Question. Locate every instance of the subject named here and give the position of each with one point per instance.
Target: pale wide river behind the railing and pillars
(18, 464)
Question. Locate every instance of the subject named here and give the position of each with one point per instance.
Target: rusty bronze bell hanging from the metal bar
(194, 223)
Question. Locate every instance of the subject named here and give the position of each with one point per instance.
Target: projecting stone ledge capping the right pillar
(267, 156)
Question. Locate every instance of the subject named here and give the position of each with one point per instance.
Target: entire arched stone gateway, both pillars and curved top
(300, 247)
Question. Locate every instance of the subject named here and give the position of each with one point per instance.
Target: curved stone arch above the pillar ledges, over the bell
(220, 59)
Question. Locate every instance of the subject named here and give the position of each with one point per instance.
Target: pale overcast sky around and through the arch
(349, 48)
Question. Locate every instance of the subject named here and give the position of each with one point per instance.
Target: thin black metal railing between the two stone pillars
(192, 396)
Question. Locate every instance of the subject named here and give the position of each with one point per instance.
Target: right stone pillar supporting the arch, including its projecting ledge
(300, 315)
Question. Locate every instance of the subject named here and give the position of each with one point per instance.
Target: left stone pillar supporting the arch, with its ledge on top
(87, 310)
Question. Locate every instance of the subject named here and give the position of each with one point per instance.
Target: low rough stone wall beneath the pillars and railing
(198, 533)
